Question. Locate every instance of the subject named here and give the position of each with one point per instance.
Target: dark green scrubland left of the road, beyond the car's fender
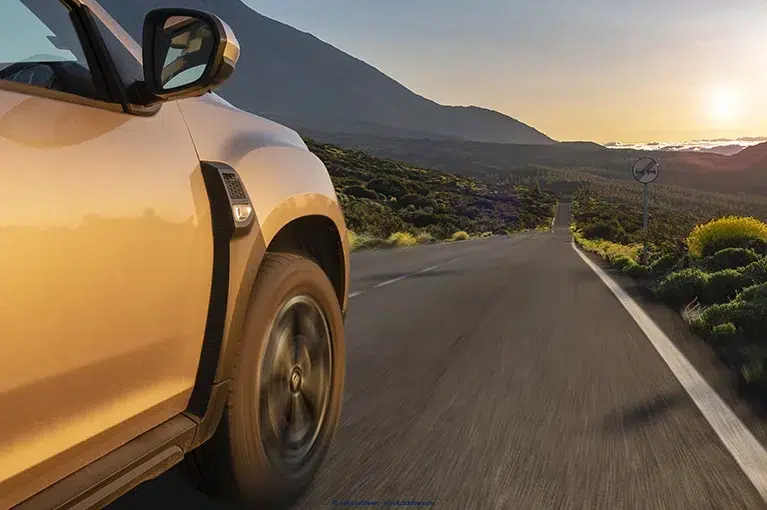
(391, 204)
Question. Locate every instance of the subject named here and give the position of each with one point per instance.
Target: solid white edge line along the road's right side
(739, 441)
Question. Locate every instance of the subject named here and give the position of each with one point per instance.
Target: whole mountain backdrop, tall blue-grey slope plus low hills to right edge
(296, 79)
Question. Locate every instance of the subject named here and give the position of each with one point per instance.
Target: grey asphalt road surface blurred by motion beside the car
(505, 376)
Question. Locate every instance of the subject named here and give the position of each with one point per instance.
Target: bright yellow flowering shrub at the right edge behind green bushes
(727, 232)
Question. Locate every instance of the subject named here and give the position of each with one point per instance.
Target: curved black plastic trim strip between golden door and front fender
(223, 230)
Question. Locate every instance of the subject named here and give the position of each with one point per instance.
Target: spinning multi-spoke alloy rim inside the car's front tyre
(295, 384)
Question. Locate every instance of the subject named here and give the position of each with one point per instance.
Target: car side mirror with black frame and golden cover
(186, 53)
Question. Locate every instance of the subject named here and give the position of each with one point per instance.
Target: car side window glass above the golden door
(39, 46)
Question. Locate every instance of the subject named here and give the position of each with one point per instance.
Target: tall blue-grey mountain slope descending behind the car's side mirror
(294, 78)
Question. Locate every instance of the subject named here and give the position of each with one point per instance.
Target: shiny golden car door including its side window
(105, 256)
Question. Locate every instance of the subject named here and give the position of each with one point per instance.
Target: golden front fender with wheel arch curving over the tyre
(284, 182)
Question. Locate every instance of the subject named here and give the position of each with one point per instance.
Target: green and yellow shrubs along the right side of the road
(711, 268)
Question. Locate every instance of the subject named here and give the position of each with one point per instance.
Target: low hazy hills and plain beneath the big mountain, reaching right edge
(745, 172)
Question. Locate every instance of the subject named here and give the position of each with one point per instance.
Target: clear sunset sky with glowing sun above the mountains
(602, 70)
